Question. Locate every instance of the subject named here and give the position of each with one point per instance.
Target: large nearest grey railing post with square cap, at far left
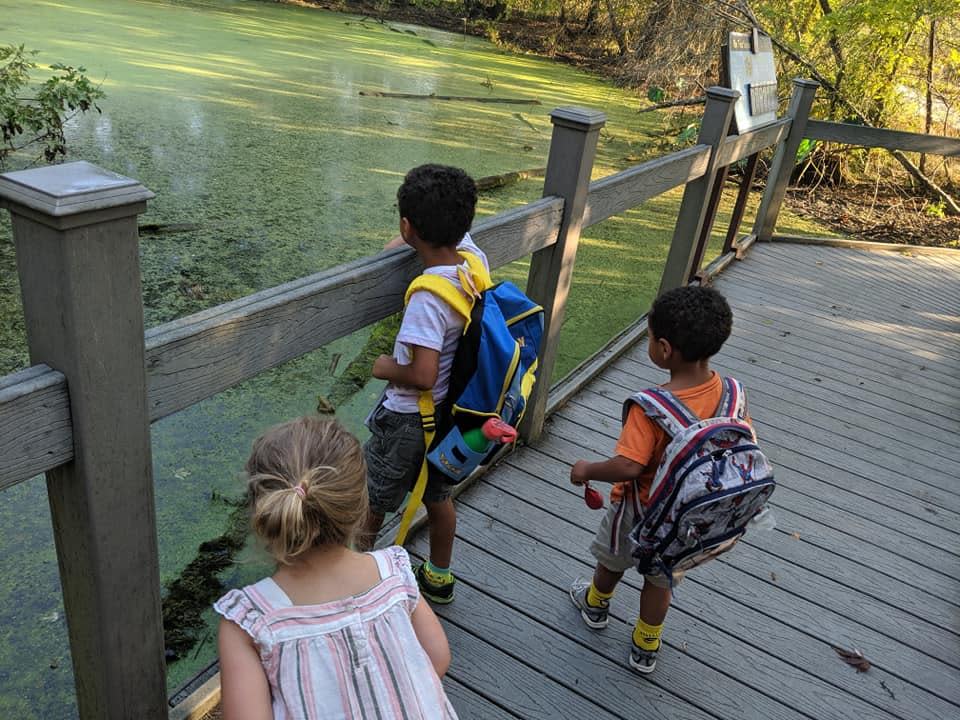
(75, 233)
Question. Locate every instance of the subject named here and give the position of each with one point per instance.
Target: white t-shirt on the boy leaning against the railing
(430, 322)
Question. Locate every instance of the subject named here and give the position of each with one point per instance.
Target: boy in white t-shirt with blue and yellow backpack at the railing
(463, 364)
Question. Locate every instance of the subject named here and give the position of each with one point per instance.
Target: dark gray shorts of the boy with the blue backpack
(394, 454)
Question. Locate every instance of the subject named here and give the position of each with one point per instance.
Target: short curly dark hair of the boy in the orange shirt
(696, 321)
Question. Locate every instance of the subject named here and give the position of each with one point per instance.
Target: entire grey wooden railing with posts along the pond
(81, 413)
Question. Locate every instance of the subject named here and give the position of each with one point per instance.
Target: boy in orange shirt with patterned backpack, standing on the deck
(685, 488)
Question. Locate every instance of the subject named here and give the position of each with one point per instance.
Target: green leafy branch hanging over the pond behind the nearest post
(35, 114)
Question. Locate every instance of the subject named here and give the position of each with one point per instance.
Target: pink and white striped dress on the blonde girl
(355, 658)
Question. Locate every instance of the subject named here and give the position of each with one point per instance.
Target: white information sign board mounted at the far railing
(749, 66)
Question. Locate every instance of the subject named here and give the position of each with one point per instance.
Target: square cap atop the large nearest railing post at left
(57, 194)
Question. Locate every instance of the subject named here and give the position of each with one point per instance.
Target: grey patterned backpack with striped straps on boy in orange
(713, 479)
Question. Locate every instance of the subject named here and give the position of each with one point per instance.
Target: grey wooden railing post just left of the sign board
(693, 208)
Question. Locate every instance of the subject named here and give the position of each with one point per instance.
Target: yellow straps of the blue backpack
(478, 281)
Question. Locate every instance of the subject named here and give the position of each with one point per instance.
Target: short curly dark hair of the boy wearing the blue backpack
(439, 201)
